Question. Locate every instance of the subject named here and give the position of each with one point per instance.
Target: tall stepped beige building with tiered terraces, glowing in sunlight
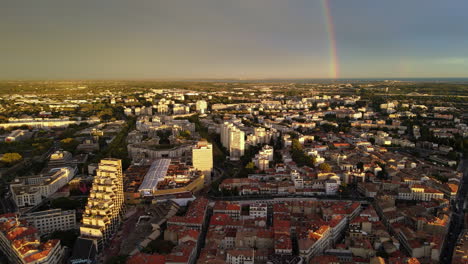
(105, 208)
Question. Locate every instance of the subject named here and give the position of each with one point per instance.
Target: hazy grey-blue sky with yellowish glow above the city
(232, 39)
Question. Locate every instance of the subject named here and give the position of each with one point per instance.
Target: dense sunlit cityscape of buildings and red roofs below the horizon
(237, 172)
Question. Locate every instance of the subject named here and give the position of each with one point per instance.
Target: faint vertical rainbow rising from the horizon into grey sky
(330, 28)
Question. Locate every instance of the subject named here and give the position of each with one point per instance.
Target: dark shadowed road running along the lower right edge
(456, 222)
